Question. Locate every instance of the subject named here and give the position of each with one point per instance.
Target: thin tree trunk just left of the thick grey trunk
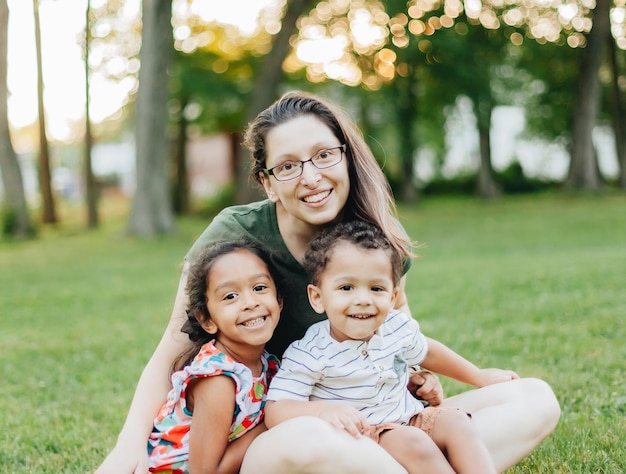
(91, 191)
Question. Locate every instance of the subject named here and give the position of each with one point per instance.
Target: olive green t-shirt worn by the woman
(257, 222)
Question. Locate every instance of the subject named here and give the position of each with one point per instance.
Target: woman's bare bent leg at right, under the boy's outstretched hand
(511, 418)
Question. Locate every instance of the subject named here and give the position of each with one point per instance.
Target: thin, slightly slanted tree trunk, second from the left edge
(45, 177)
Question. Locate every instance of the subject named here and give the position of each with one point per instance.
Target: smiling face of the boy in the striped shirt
(356, 291)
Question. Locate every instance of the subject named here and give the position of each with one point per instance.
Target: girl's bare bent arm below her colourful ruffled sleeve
(213, 408)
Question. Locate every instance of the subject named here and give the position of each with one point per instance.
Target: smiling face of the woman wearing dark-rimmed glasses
(317, 197)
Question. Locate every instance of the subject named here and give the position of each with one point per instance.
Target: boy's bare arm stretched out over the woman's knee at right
(443, 360)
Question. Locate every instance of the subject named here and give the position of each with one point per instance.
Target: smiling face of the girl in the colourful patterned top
(242, 300)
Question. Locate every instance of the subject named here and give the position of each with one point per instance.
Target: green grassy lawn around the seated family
(536, 284)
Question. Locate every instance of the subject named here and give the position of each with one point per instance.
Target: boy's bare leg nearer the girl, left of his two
(414, 449)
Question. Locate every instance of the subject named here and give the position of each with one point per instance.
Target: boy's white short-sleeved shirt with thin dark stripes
(369, 375)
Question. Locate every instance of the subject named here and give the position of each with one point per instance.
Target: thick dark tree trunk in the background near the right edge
(583, 172)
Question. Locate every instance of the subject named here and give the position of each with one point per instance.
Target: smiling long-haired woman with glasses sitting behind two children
(317, 170)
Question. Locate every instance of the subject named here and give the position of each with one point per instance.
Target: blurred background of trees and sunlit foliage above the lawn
(106, 98)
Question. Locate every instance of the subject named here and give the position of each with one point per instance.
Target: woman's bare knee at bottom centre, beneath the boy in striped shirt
(311, 445)
